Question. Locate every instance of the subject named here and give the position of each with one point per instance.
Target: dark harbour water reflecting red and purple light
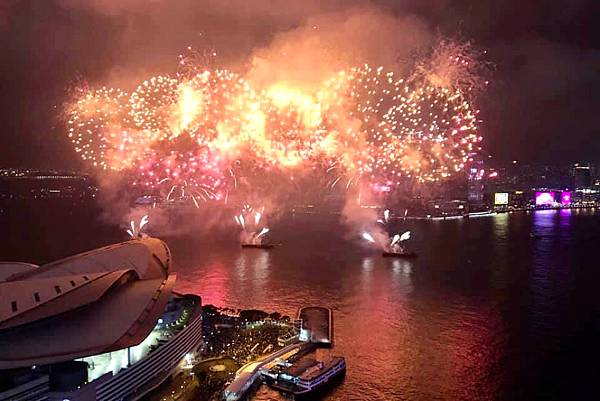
(495, 308)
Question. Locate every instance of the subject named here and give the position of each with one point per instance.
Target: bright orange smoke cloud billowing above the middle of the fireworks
(331, 42)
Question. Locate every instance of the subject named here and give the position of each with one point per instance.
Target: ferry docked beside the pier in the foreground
(306, 376)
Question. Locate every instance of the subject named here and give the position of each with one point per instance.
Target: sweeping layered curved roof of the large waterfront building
(98, 301)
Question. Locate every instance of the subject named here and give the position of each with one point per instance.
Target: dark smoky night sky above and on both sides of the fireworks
(542, 103)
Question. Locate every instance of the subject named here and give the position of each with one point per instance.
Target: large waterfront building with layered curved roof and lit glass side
(102, 325)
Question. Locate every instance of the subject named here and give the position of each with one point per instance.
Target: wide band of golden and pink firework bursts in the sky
(192, 133)
